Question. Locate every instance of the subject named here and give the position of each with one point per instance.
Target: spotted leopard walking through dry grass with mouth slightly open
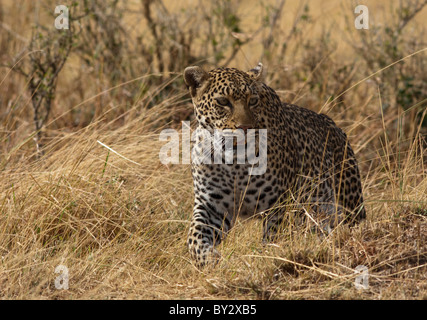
(309, 162)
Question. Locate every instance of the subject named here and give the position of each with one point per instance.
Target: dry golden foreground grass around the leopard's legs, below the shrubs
(120, 228)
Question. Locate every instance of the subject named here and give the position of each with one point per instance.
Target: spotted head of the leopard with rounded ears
(225, 98)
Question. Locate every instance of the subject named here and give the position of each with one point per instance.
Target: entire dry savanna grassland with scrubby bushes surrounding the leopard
(81, 183)
